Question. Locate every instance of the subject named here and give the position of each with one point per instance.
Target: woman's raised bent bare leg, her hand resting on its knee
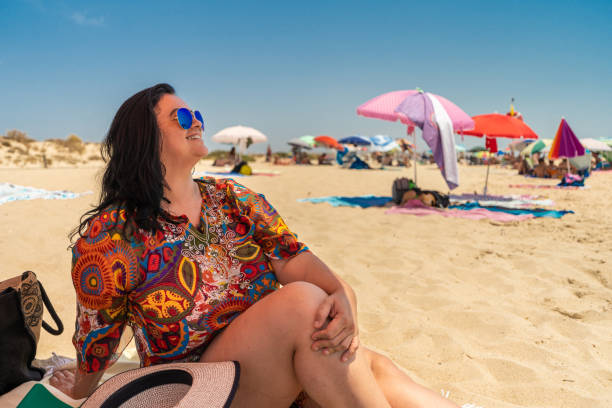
(272, 342)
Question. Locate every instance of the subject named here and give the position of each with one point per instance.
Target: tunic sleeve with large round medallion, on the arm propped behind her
(104, 270)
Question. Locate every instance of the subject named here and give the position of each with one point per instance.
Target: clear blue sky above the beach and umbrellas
(295, 68)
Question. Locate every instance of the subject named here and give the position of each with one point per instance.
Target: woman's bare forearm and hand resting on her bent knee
(339, 310)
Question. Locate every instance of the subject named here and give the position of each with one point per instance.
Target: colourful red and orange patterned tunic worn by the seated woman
(175, 287)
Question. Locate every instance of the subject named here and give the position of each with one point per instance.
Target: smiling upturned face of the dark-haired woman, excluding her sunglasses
(179, 147)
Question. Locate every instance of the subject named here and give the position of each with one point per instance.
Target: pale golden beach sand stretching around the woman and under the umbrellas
(502, 315)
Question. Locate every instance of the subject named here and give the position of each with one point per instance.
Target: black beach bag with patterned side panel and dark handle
(21, 317)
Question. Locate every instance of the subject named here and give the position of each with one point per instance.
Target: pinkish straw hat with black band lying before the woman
(180, 385)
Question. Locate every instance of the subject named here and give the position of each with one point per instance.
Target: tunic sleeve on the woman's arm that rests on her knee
(271, 232)
